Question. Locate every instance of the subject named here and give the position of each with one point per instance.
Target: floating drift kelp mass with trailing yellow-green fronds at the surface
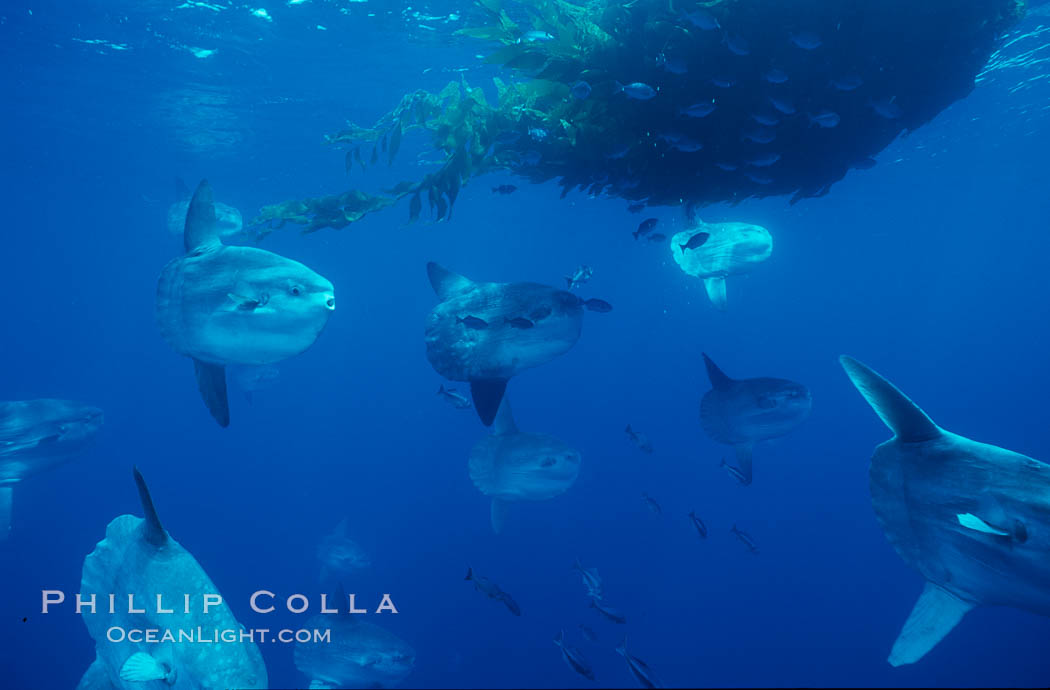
(678, 102)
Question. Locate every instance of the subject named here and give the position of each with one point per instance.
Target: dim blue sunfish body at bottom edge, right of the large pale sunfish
(361, 655)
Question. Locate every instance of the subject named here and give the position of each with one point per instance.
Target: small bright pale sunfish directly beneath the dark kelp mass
(730, 249)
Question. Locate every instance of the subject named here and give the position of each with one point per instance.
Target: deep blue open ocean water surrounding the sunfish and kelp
(930, 267)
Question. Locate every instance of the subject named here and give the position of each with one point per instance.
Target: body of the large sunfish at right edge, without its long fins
(918, 490)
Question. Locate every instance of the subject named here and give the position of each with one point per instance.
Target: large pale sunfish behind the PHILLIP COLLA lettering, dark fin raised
(138, 557)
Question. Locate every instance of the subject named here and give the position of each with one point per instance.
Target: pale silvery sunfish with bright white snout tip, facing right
(225, 306)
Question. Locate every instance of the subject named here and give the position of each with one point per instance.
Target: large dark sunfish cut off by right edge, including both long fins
(973, 519)
